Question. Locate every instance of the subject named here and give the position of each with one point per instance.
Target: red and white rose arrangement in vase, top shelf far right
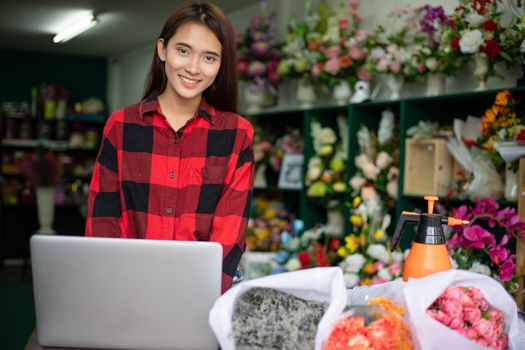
(476, 31)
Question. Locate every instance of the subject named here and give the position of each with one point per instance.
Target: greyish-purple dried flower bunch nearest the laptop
(265, 318)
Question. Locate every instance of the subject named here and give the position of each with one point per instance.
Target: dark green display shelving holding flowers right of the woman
(408, 112)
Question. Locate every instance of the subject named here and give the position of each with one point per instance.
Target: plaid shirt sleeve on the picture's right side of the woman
(232, 212)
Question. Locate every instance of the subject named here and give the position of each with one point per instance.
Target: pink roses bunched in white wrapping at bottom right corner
(465, 310)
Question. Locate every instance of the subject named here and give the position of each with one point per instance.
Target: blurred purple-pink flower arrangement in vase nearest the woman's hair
(258, 57)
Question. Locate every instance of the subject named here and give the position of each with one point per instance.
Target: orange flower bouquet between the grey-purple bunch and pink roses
(378, 325)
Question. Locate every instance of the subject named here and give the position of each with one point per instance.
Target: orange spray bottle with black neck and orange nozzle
(429, 251)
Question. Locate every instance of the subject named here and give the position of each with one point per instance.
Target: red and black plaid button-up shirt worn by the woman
(195, 184)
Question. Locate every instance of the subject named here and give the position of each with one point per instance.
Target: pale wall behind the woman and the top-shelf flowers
(127, 72)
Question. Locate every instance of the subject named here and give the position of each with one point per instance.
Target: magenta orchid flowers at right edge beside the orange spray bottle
(484, 246)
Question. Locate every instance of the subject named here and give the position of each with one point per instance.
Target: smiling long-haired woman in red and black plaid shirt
(179, 164)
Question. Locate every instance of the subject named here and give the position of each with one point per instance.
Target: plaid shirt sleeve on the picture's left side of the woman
(104, 206)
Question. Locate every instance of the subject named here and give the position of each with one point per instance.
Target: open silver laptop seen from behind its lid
(112, 293)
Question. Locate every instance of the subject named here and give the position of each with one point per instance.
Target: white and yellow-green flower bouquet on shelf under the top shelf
(325, 177)
